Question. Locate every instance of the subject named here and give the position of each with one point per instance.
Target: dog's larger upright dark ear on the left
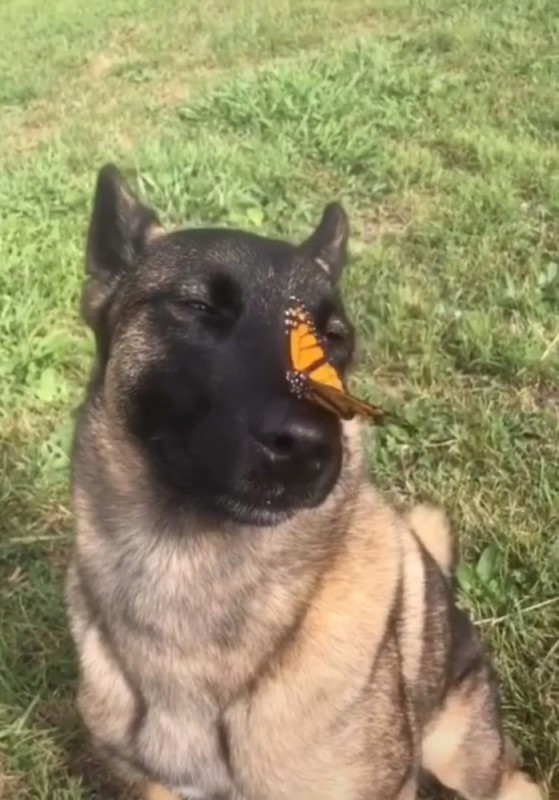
(119, 231)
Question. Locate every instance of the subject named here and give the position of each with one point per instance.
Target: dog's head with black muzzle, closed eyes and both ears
(193, 354)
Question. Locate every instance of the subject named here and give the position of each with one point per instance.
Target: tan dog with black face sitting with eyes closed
(253, 620)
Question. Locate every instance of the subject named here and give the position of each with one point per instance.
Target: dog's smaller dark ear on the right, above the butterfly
(327, 245)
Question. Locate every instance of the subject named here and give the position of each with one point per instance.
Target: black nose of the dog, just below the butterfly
(297, 448)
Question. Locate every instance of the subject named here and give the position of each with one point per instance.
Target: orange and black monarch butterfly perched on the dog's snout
(312, 376)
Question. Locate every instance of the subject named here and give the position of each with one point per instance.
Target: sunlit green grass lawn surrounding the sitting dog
(436, 122)
